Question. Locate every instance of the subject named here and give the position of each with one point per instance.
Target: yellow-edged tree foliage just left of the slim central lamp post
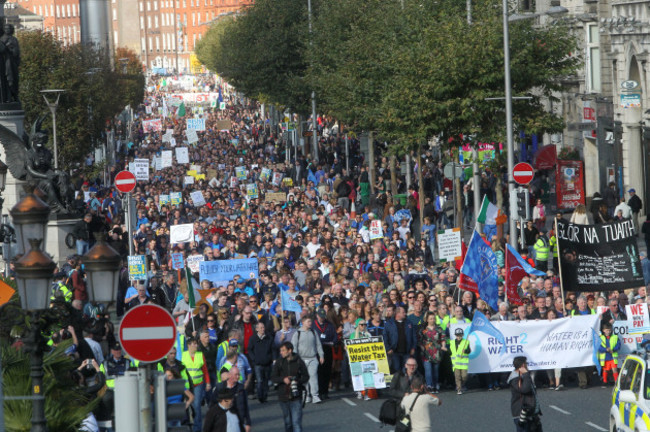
(261, 52)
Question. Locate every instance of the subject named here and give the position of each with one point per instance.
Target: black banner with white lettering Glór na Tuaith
(599, 257)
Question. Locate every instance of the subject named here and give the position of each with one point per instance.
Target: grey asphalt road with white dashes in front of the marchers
(568, 410)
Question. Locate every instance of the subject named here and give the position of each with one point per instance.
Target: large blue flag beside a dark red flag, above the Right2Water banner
(481, 265)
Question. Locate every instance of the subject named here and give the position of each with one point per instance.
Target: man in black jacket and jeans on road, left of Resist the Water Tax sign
(291, 375)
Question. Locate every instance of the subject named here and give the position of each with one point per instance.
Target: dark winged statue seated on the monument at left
(28, 159)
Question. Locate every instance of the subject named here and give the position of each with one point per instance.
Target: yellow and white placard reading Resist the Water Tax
(368, 362)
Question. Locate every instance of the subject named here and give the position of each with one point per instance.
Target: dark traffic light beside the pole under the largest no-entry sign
(165, 411)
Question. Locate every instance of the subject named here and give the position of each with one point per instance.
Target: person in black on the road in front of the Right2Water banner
(523, 404)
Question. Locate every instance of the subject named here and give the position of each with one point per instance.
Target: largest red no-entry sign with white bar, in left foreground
(147, 333)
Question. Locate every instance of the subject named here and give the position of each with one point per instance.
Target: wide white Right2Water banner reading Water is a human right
(560, 343)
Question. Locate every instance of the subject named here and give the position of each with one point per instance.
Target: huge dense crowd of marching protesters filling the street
(323, 261)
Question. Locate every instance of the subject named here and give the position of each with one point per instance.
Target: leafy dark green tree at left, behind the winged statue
(95, 92)
